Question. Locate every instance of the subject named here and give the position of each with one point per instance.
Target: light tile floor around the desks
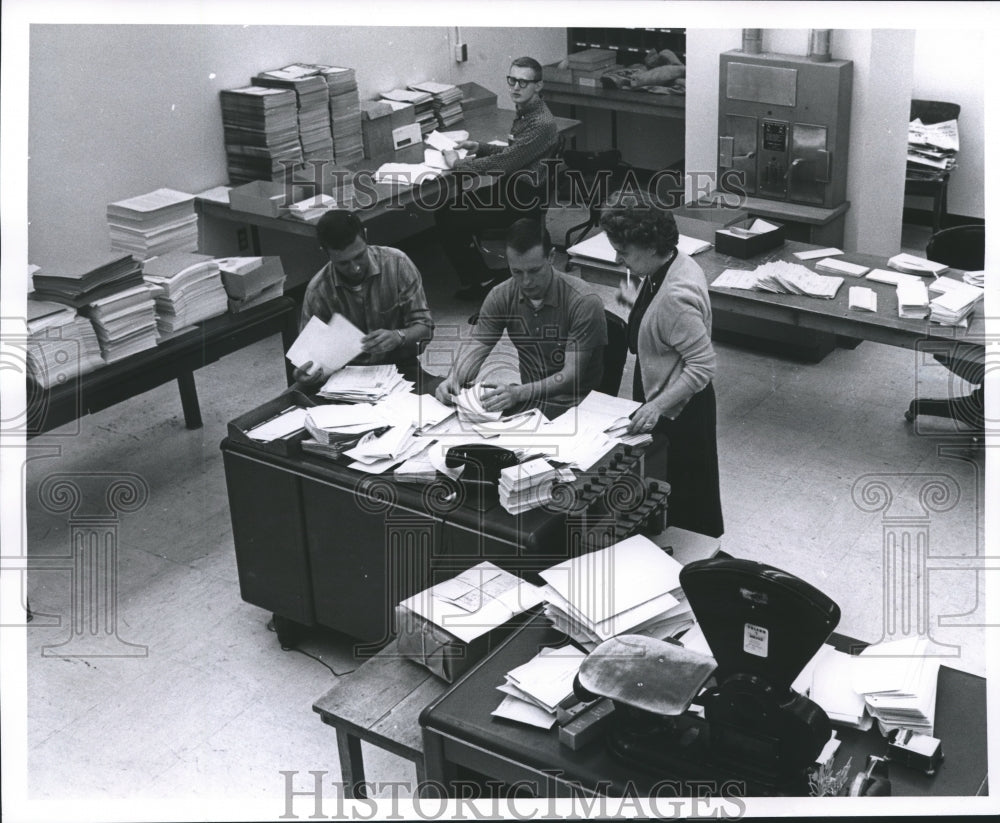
(214, 710)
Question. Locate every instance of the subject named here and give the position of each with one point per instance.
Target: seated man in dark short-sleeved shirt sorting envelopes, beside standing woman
(558, 329)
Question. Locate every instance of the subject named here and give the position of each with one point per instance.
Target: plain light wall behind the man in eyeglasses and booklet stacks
(119, 110)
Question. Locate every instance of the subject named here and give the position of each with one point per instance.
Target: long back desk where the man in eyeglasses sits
(391, 212)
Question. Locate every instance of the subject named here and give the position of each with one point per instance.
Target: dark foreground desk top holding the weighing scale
(461, 739)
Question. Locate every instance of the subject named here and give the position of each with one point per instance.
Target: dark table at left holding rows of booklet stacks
(174, 359)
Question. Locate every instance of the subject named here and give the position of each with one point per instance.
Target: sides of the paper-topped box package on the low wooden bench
(439, 650)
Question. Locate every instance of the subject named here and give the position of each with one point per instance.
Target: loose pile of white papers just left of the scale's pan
(534, 689)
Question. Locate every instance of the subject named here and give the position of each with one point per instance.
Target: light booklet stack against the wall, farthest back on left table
(155, 223)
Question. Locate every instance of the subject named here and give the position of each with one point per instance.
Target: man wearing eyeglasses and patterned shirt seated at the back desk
(521, 175)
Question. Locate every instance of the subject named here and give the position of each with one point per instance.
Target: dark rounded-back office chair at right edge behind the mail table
(960, 247)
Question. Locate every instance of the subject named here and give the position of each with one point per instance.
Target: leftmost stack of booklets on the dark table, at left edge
(62, 345)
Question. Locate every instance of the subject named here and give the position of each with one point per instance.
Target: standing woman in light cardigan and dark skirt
(670, 332)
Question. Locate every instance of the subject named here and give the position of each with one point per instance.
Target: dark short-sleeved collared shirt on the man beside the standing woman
(569, 319)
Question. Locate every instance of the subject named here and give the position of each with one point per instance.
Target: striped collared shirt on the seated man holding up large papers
(391, 296)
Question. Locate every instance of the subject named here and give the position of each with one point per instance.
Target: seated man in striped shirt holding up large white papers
(378, 290)
